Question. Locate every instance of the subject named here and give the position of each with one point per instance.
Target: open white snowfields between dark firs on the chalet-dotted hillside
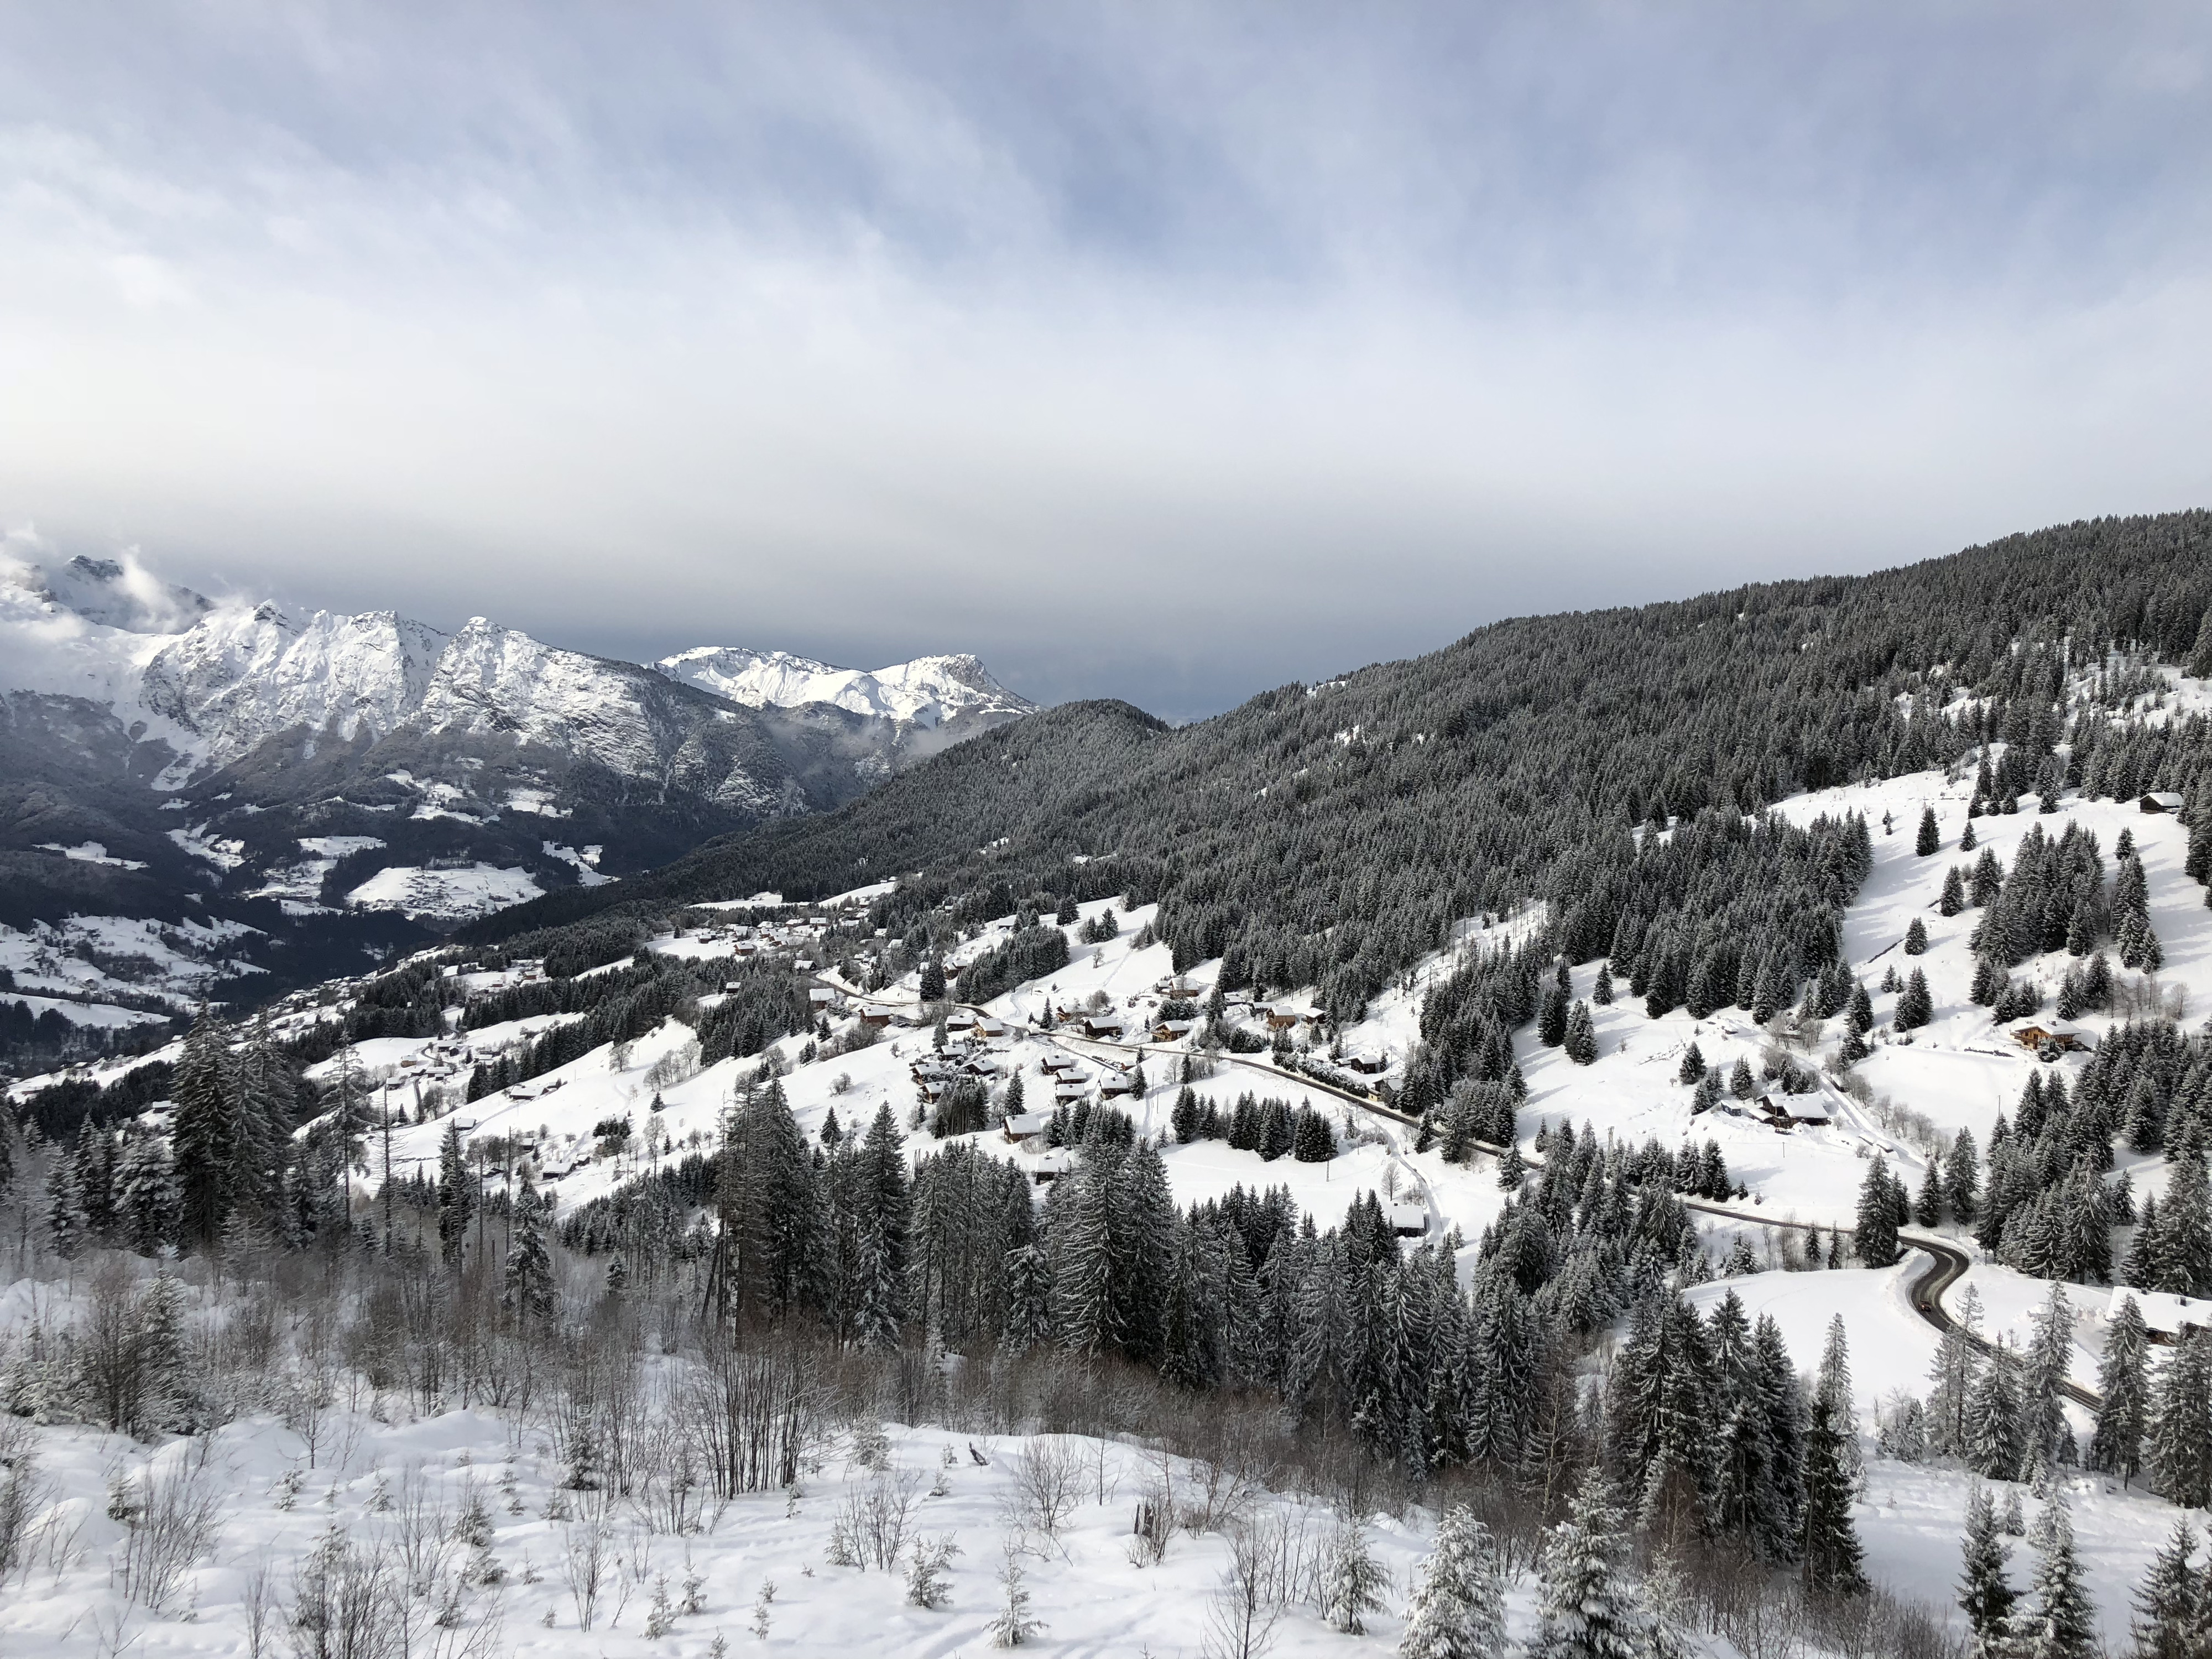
(1914, 1089)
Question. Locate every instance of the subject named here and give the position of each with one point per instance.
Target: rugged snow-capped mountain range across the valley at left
(337, 782)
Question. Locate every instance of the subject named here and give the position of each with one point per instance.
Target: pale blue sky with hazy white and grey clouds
(1147, 351)
